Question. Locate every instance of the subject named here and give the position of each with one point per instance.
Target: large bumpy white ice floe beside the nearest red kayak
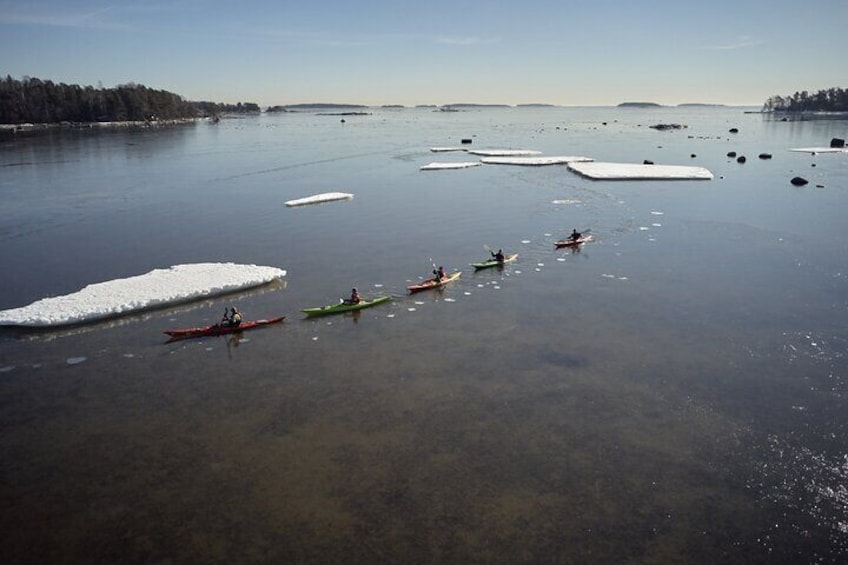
(160, 287)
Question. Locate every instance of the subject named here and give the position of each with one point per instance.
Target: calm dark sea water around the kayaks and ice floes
(674, 392)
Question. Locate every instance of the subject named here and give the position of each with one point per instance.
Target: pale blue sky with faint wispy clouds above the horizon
(377, 52)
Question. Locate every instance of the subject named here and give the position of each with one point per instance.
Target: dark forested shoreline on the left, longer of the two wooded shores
(33, 100)
